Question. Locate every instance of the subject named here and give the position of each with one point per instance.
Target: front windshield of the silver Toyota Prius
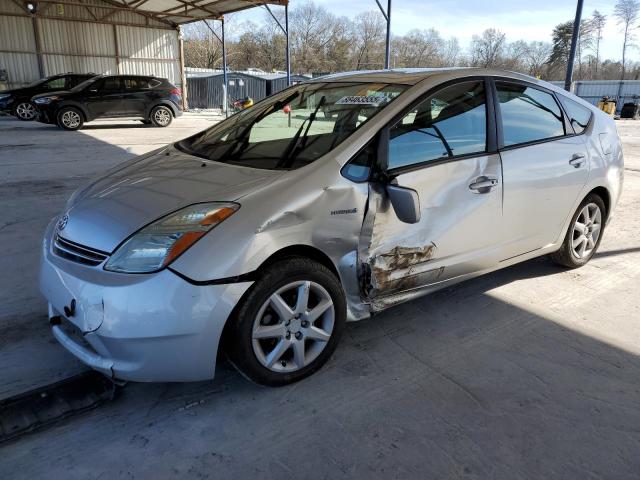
(294, 127)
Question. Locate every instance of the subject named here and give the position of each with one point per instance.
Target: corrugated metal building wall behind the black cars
(91, 38)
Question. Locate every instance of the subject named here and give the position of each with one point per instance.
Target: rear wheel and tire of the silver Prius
(578, 248)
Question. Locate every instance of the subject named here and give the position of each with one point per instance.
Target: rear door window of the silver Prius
(528, 114)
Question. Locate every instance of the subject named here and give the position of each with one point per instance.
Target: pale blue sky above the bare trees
(520, 20)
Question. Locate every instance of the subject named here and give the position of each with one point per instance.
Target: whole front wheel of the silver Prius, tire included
(294, 344)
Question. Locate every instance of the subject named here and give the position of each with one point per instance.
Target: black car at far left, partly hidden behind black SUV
(18, 101)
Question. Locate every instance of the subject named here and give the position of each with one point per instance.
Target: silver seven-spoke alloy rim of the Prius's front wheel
(293, 326)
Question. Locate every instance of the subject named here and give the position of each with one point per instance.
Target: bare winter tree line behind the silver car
(321, 42)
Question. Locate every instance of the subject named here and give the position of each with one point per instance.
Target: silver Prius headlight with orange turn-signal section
(160, 243)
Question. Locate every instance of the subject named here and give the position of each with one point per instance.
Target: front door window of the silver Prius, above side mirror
(449, 123)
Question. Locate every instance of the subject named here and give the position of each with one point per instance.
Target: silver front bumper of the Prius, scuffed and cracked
(151, 327)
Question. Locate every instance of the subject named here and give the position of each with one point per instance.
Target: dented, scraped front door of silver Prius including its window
(460, 197)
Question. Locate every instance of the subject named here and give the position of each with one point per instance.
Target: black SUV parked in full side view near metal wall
(154, 100)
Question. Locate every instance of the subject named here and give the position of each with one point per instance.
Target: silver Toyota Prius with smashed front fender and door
(325, 203)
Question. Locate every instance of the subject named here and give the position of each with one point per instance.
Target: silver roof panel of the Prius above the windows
(411, 76)
